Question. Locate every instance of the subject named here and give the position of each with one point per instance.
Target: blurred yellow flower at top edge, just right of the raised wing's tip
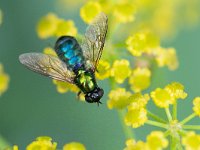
(124, 12)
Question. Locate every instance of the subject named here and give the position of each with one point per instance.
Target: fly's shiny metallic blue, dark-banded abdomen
(70, 52)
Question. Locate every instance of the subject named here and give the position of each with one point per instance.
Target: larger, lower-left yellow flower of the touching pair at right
(162, 98)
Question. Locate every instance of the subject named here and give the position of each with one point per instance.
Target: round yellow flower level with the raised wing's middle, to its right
(136, 44)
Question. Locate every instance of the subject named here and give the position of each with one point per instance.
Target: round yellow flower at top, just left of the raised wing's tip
(90, 10)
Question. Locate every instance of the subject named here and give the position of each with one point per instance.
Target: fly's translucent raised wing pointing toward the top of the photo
(94, 39)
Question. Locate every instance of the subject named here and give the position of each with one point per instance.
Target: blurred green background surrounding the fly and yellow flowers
(32, 107)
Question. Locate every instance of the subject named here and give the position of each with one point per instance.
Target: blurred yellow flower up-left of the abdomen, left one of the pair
(47, 25)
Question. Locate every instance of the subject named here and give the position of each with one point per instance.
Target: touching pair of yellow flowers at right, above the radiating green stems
(164, 97)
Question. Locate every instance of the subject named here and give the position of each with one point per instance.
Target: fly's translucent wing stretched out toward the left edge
(47, 65)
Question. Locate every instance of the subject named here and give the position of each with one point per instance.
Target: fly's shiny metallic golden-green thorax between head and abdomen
(85, 80)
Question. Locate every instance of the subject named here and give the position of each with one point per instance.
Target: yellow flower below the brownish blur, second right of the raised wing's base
(140, 79)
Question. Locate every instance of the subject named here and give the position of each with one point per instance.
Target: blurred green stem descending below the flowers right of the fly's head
(127, 130)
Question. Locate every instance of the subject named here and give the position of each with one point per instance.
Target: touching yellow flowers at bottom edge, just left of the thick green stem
(155, 141)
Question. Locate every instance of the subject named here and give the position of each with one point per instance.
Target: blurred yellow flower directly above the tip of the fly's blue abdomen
(65, 27)
